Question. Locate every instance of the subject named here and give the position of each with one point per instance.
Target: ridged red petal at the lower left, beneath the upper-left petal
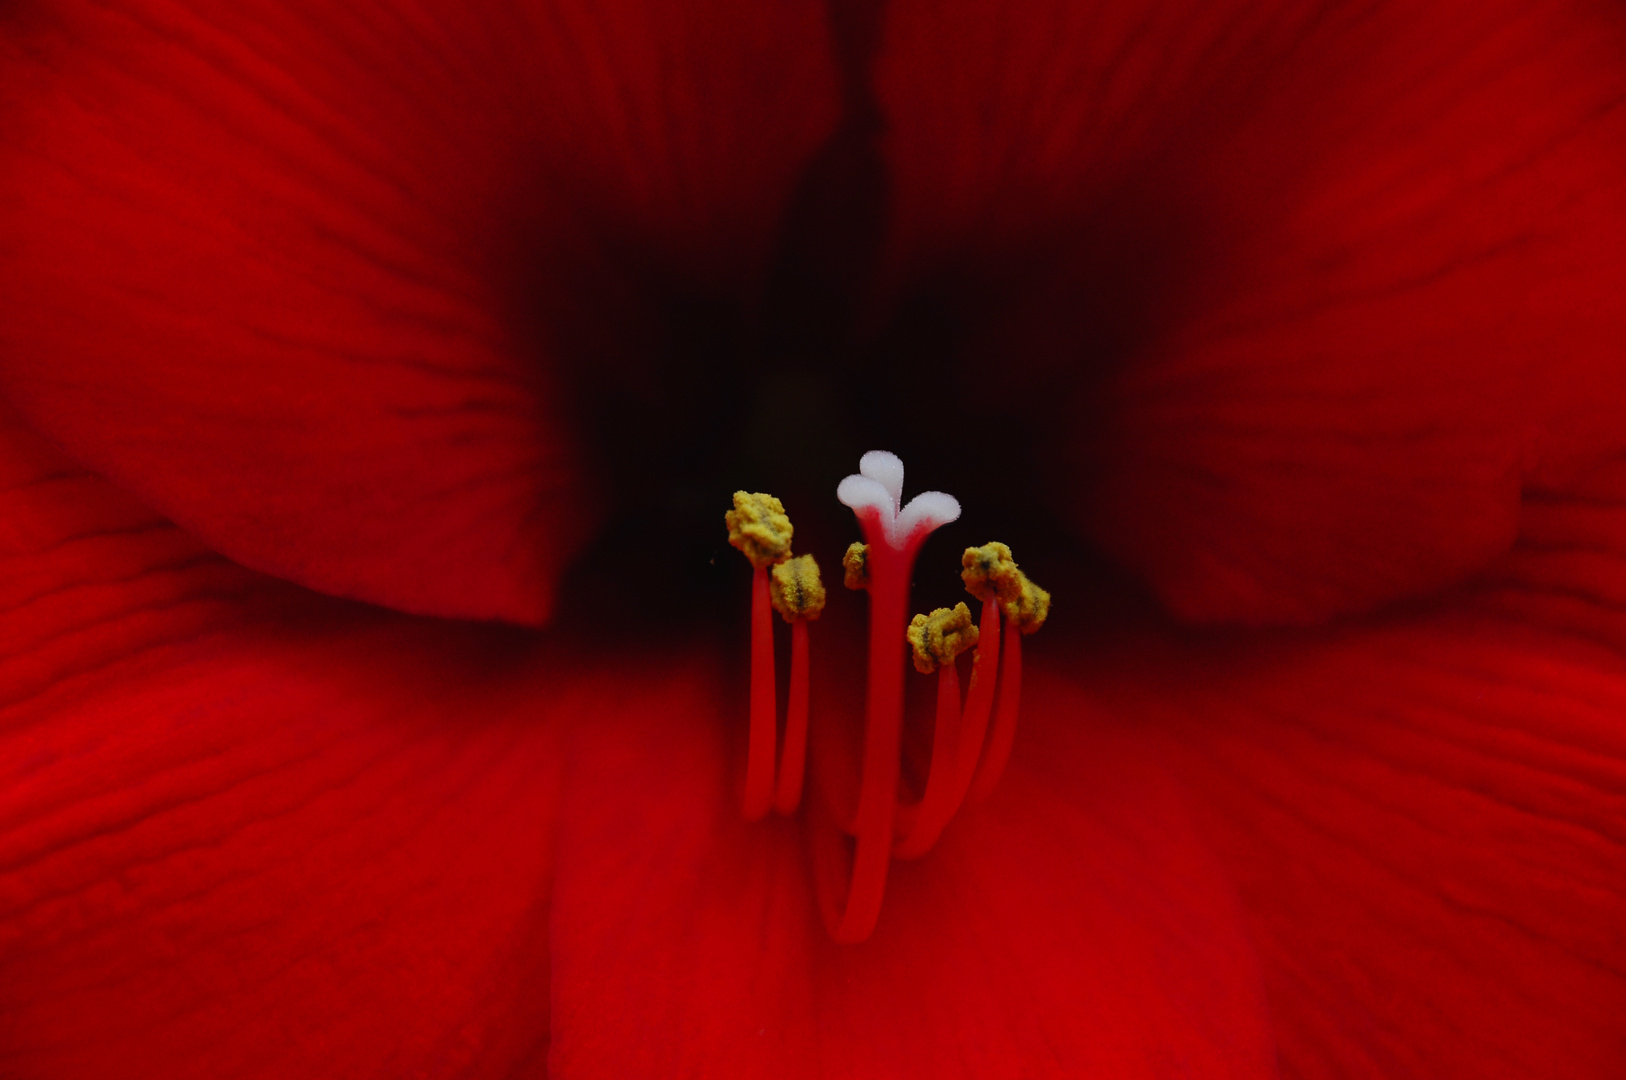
(235, 847)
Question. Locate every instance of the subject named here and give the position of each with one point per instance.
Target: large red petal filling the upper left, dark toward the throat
(279, 269)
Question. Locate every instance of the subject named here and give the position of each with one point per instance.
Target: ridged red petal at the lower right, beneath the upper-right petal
(1427, 817)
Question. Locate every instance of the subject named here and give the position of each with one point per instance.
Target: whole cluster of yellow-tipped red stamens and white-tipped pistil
(854, 845)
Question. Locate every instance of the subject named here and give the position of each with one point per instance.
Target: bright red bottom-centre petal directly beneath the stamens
(1074, 930)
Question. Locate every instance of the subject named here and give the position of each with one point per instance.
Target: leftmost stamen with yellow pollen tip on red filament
(760, 528)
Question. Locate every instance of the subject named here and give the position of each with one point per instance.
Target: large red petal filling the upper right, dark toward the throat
(1324, 285)
